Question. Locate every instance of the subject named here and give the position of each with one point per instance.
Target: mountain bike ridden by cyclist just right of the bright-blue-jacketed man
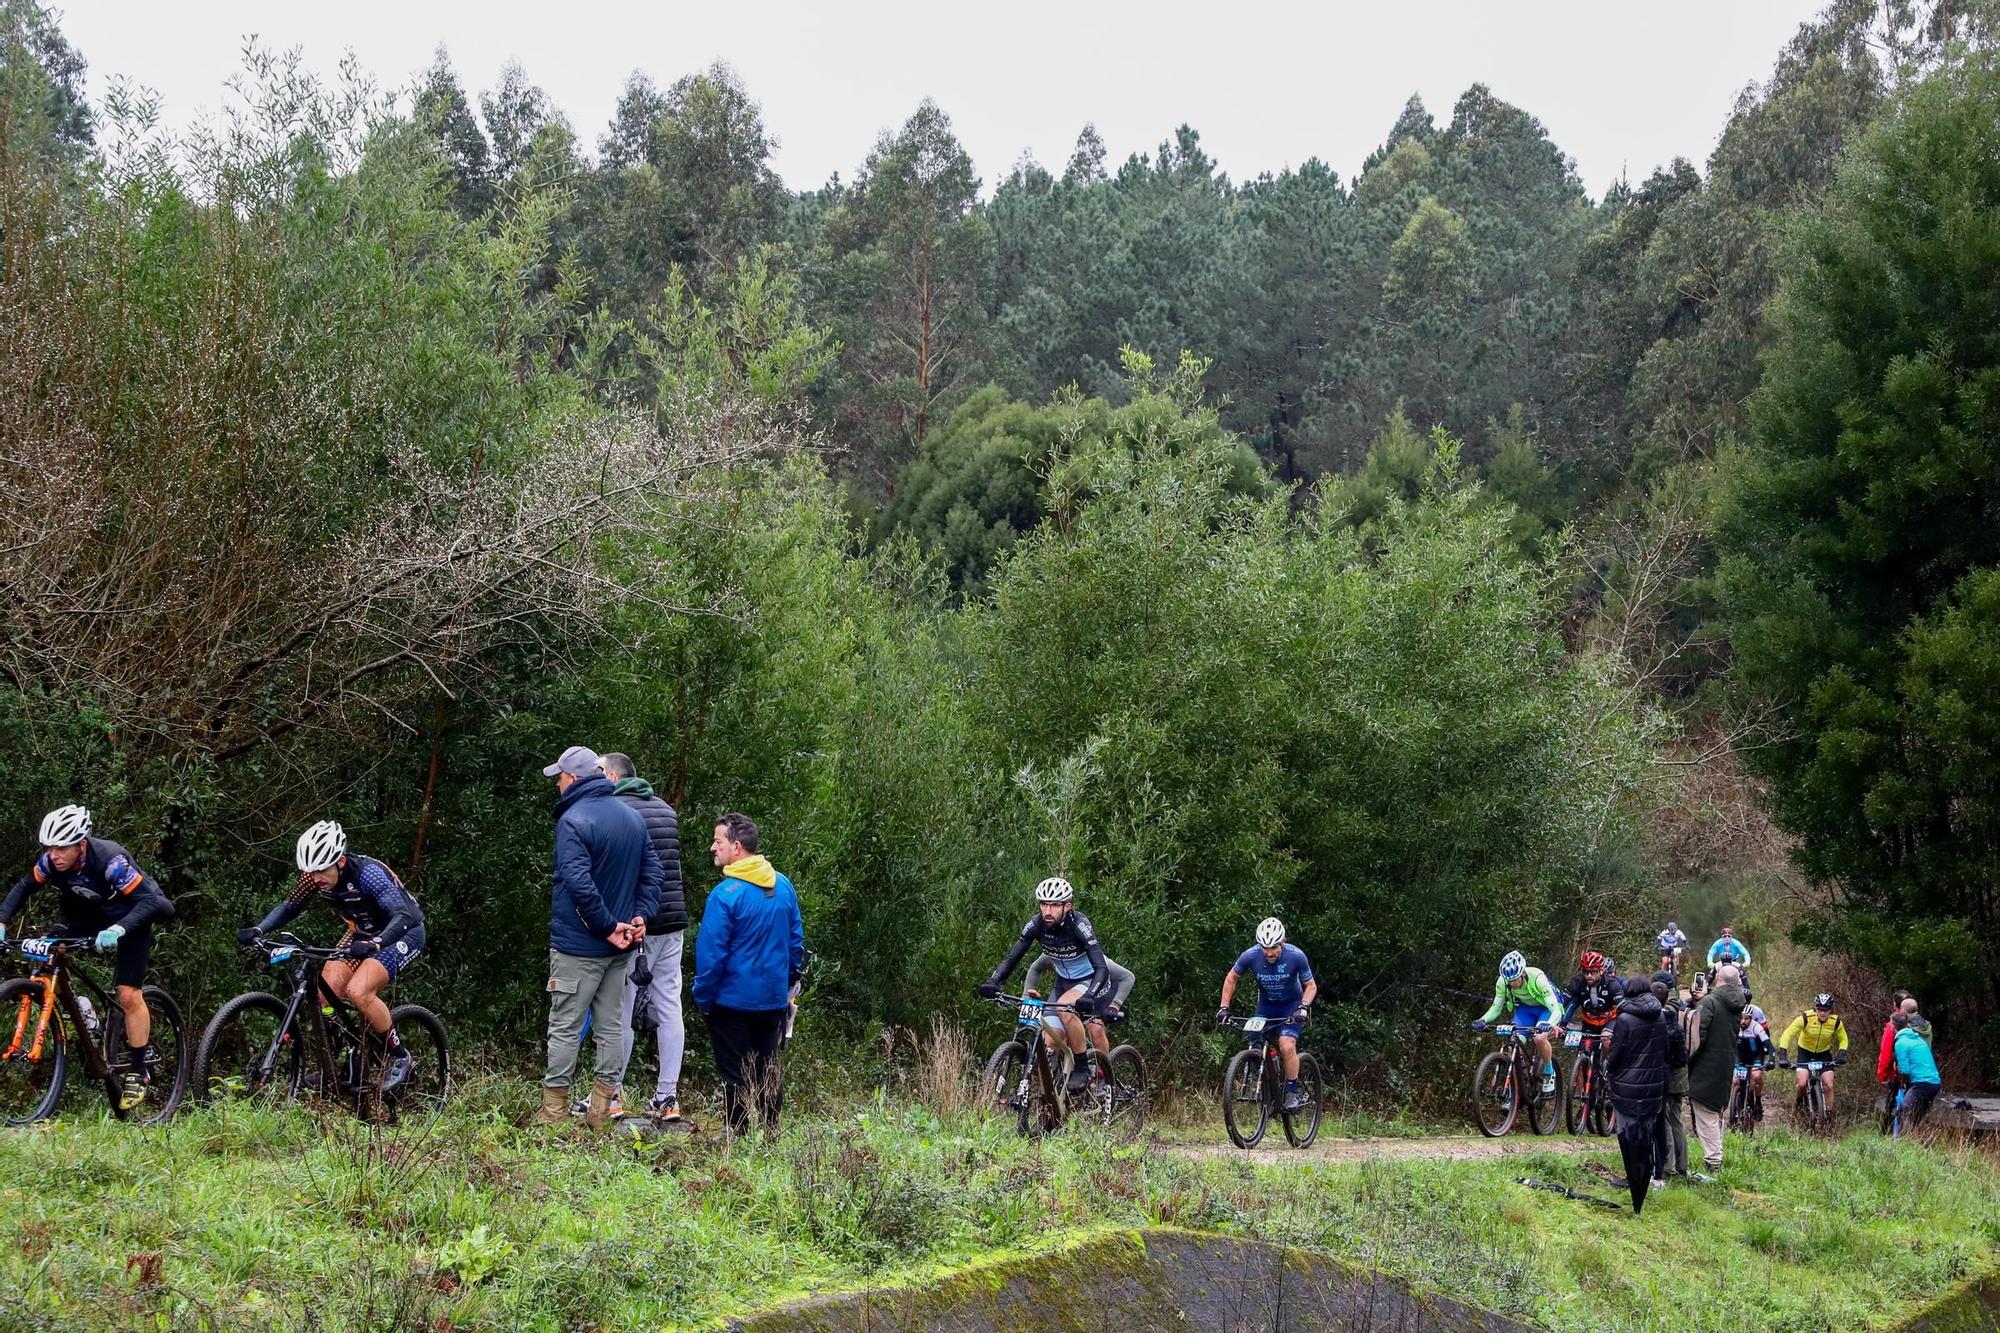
(1027, 1076)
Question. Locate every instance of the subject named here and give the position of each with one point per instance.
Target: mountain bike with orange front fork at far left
(51, 1014)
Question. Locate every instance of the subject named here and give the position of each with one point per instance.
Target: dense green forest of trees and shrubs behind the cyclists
(1411, 555)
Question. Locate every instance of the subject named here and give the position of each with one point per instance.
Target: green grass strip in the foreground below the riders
(269, 1220)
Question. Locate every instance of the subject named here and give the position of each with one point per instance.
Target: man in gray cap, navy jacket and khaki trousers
(607, 884)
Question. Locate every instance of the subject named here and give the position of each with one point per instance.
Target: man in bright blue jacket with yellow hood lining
(749, 950)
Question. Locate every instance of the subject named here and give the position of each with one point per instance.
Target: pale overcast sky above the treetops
(1621, 85)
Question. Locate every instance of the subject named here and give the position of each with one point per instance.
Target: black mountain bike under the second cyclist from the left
(317, 1044)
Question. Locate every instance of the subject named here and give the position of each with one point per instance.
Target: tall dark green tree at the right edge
(1859, 553)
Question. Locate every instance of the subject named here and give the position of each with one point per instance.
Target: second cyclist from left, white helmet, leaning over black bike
(385, 930)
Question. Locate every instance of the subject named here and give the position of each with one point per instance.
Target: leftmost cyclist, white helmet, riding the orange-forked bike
(101, 892)
